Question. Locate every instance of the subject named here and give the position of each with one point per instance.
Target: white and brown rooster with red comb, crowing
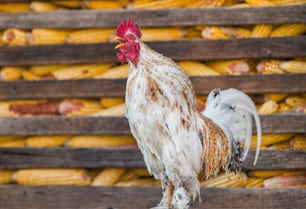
(181, 145)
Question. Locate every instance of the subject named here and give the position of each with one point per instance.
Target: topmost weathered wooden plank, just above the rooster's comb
(153, 18)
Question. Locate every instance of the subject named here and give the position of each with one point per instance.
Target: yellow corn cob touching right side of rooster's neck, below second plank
(193, 68)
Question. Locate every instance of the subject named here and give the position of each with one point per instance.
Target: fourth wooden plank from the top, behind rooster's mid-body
(61, 125)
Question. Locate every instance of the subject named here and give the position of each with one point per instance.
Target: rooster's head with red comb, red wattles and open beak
(128, 35)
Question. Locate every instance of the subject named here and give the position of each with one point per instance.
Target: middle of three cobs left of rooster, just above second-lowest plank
(46, 141)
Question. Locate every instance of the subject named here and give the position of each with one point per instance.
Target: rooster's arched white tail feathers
(232, 110)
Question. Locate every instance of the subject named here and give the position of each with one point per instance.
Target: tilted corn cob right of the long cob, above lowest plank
(108, 177)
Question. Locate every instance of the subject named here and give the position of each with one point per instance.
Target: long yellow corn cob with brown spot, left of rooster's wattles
(81, 71)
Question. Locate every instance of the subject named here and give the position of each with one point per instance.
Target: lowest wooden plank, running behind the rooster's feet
(85, 197)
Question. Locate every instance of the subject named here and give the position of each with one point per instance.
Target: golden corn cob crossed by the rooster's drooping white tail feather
(270, 139)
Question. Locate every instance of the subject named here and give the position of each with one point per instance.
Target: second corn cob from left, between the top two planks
(47, 36)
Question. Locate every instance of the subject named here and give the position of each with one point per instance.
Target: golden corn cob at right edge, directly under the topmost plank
(289, 30)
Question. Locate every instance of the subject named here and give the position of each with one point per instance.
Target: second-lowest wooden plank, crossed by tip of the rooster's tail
(63, 157)
